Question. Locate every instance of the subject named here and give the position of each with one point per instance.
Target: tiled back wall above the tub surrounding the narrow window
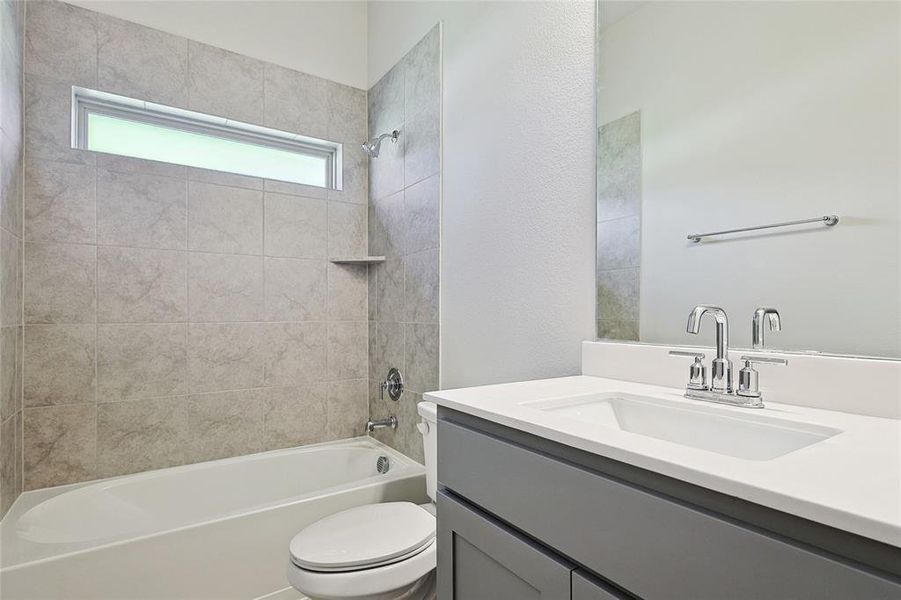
(176, 315)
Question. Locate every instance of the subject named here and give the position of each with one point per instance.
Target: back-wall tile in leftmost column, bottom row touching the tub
(60, 445)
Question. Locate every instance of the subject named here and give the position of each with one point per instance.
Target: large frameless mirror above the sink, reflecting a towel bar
(717, 116)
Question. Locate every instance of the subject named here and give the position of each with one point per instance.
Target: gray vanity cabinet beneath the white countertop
(523, 517)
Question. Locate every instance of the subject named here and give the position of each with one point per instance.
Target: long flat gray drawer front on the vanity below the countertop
(643, 542)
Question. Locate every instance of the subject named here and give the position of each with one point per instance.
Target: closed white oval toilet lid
(365, 536)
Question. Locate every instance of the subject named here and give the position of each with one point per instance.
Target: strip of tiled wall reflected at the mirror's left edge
(619, 228)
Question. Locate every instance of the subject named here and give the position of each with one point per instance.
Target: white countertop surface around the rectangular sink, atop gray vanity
(851, 481)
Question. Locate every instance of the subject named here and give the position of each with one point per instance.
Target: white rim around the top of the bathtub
(28, 500)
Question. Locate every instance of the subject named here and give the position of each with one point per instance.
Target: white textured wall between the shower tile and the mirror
(517, 282)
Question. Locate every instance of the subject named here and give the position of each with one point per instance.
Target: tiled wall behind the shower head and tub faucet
(404, 213)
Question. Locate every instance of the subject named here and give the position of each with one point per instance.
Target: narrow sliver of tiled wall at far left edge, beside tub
(12, 19)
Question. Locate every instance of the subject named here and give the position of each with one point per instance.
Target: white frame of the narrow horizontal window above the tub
(86, 102)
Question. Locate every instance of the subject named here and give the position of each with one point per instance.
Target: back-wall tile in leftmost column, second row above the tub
(59, 361)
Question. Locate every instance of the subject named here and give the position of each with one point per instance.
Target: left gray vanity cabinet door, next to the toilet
(480, 559)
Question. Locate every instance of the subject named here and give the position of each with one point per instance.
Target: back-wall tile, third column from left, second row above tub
(224, 356)
